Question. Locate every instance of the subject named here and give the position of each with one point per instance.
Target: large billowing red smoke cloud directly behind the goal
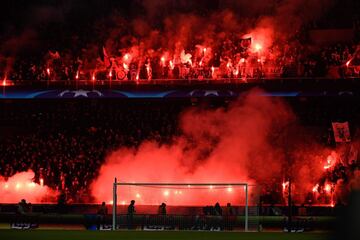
(250, 141)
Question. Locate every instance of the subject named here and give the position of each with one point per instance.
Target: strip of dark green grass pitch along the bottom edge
(140, 235)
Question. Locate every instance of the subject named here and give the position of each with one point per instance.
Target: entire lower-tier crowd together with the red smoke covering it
(175, 141)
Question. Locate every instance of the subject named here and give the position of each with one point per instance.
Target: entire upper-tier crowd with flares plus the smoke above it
(186, 39)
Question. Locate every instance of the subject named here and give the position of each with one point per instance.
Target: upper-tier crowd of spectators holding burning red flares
(291, 60)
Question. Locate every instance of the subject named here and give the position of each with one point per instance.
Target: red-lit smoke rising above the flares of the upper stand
(169, 28)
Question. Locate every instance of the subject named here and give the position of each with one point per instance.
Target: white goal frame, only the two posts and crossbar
(116, 183)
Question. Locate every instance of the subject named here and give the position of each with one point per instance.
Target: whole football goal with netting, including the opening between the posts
(184, 206)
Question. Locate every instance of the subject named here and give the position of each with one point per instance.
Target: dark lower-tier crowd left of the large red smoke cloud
(69, 157)
